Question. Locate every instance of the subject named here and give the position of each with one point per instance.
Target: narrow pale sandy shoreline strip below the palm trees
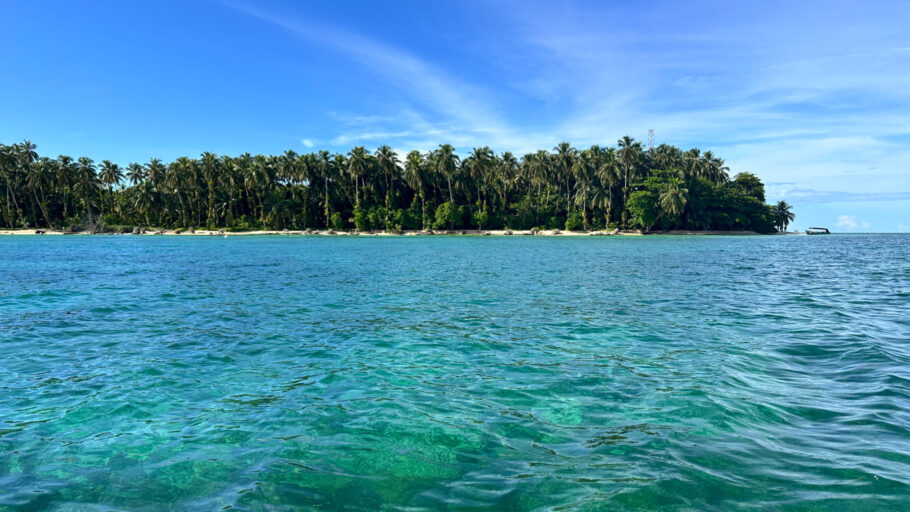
(329, 232)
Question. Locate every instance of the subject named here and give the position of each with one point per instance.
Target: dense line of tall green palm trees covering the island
(627, 186)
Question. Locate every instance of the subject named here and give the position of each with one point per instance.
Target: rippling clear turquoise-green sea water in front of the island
(261, 373)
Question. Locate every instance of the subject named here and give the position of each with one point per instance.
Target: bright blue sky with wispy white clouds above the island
(813, 97)
